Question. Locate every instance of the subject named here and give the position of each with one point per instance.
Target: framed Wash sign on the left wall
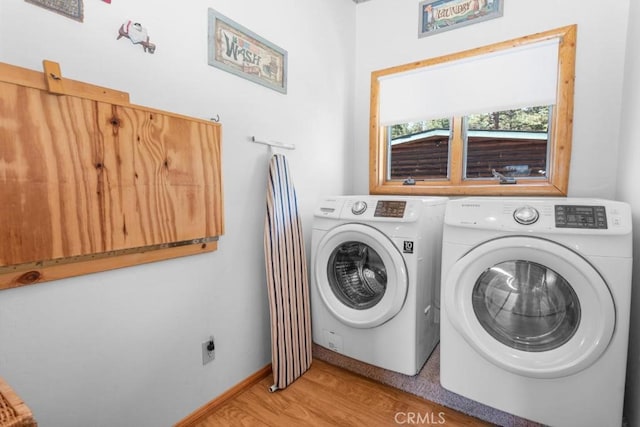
(236, 49)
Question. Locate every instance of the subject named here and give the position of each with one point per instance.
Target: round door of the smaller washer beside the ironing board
(360, 275)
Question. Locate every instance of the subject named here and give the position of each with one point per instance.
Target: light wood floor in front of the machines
(330, 396)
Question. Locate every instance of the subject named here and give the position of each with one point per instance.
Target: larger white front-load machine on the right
(535, 306)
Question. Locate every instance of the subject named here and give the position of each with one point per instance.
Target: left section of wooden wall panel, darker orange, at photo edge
(46, 187)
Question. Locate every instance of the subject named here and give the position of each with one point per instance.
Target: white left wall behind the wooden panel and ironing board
(123, 347)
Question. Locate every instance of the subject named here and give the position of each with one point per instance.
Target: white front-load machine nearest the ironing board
(375, 263)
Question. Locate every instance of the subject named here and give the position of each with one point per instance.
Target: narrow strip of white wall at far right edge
(628, 177)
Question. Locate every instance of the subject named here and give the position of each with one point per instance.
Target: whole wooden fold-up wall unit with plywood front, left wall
(89, 182)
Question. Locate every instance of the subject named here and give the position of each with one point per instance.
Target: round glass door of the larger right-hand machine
(530, 306)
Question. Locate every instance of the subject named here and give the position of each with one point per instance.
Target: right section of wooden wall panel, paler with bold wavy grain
(158, 177)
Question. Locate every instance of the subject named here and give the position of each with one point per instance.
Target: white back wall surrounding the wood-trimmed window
(387, 35)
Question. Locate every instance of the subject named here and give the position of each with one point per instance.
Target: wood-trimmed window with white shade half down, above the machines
(489, 121)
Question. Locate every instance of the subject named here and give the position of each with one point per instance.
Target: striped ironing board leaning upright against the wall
(287, 279)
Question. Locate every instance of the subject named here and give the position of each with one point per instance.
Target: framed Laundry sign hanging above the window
(442, 15)
